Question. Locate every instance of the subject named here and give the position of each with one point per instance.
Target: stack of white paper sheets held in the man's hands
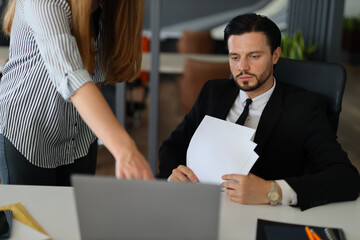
(220, 147)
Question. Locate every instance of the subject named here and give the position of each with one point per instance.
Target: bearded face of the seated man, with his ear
(251, 62)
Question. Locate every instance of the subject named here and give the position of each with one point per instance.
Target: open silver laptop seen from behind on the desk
(109, 208)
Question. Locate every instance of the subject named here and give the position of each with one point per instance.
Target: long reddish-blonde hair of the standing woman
(123, 22)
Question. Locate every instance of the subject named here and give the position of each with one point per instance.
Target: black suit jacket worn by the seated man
(295, 142)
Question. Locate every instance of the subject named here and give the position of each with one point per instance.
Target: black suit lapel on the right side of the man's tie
(269, 118)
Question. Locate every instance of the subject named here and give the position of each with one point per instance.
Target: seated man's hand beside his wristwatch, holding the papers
(248, 189)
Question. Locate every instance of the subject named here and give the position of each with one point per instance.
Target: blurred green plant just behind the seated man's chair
(295, 48)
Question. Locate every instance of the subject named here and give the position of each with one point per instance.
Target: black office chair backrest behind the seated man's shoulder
(327, 79)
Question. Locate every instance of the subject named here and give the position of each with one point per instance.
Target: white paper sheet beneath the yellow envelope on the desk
(21, 231)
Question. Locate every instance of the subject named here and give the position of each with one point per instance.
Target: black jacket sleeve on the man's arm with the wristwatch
(330, 176)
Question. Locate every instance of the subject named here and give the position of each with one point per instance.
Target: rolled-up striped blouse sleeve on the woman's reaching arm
(50, 22)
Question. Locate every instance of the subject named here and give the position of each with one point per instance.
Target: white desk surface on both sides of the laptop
(54, 209)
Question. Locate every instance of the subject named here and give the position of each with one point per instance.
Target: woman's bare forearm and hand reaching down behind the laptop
(97, 114)
